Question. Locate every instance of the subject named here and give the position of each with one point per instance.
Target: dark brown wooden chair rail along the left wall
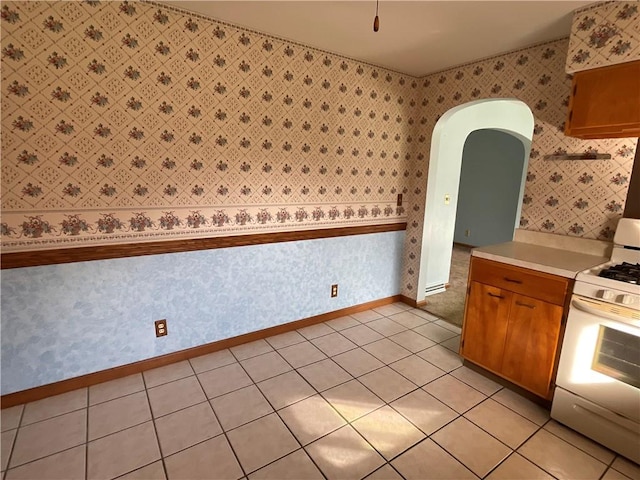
(105, 252)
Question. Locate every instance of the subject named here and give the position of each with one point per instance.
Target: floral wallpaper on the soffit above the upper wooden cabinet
(604, 34)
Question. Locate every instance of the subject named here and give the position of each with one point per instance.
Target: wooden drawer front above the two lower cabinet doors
(543, 286)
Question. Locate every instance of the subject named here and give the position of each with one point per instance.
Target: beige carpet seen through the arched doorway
(449, 305)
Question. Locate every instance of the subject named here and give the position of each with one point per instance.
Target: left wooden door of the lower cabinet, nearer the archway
(485, 325)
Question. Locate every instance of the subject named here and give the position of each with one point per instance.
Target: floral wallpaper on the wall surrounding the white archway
(581, 198)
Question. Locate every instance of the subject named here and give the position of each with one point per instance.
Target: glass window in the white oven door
(617, 355)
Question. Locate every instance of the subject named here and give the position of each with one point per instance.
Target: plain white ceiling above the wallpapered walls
(415, 37)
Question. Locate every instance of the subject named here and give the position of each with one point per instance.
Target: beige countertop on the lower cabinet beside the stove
(556, 261)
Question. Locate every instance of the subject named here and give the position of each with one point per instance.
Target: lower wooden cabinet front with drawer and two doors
(513, 323)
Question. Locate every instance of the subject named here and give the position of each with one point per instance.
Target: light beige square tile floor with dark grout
(380, 394)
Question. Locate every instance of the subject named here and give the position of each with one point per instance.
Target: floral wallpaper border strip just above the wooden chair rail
(55, 230)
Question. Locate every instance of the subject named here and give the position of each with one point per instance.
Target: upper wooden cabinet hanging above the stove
(605, 102)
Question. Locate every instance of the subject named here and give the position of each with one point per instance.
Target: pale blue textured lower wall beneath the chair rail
(61, 321)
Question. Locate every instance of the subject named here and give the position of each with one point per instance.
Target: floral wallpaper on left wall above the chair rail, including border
(128, 121)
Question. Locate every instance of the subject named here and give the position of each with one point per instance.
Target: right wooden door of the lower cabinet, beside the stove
(531, 343)
